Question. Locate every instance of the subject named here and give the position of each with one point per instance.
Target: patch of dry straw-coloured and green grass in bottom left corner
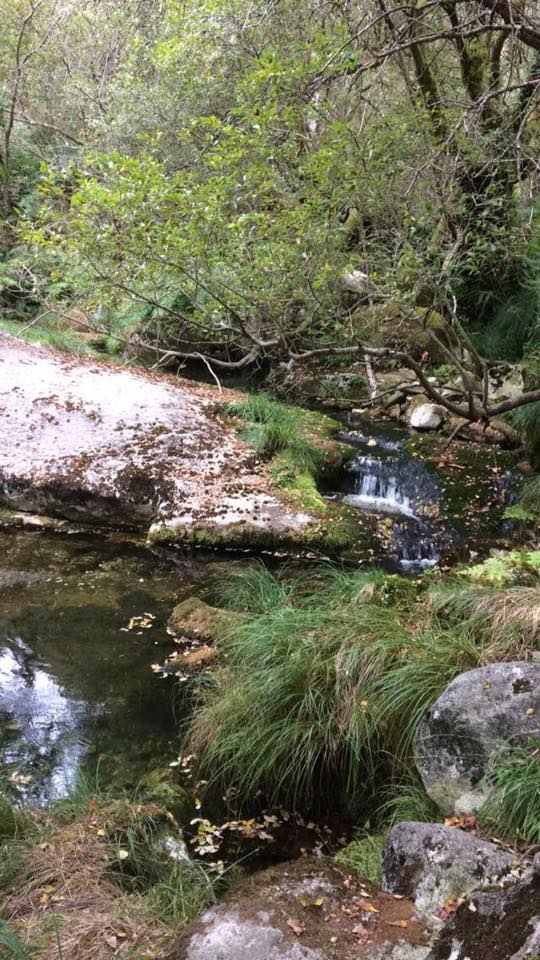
(95, 873)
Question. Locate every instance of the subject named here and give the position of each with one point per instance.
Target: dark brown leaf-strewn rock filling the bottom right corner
(500, 925)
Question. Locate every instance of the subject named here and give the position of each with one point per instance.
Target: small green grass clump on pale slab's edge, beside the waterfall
(272, 427)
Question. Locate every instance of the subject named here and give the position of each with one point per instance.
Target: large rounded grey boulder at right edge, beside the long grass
(480, 713)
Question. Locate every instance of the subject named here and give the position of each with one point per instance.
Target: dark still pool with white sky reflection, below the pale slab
(76, 682)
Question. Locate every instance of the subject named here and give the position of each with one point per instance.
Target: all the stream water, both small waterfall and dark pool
(82, 620)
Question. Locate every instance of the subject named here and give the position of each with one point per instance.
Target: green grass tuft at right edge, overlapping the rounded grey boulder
(513, 808)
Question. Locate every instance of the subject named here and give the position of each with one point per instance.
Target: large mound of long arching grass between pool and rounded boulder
(322, 686)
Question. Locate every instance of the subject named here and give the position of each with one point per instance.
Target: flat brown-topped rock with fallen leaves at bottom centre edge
(306, 910)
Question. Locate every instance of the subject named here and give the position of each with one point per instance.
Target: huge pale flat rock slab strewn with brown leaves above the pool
(95, 443)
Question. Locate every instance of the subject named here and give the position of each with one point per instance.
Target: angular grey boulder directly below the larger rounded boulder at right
(432, 863)
